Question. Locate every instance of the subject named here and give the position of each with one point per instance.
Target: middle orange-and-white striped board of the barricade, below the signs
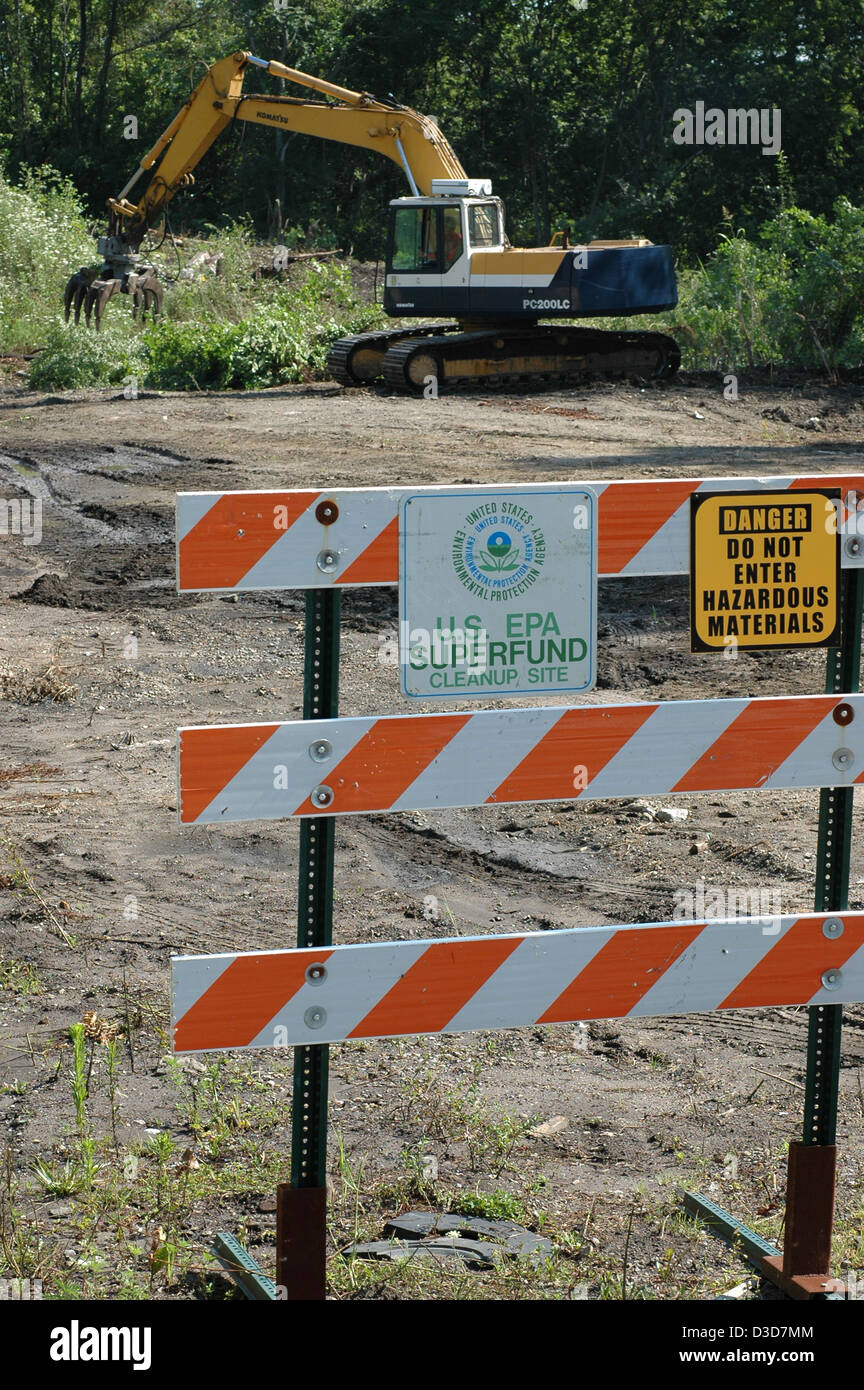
(422, 762)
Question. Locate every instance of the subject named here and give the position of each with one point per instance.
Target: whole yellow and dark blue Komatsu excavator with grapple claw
(447, 255)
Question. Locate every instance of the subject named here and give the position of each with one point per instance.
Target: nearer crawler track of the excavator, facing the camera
(540, 352)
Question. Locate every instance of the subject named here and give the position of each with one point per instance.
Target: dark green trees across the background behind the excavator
(567, 105)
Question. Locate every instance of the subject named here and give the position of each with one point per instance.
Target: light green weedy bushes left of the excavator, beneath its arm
(217, 332)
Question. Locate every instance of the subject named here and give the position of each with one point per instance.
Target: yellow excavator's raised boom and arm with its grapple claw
(410, 140)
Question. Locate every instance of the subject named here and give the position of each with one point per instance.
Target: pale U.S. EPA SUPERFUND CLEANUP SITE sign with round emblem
(498, 594)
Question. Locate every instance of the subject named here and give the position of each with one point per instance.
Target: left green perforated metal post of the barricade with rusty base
(302, 1206)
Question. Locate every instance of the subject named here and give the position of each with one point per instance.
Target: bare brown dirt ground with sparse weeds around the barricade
(99, 886)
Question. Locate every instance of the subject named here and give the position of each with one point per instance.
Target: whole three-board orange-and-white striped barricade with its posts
(326, 767)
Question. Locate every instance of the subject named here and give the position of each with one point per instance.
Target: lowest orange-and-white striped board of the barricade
(290, 999)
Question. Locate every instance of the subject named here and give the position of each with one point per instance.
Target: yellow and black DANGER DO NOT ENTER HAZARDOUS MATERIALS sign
(765, 569)
